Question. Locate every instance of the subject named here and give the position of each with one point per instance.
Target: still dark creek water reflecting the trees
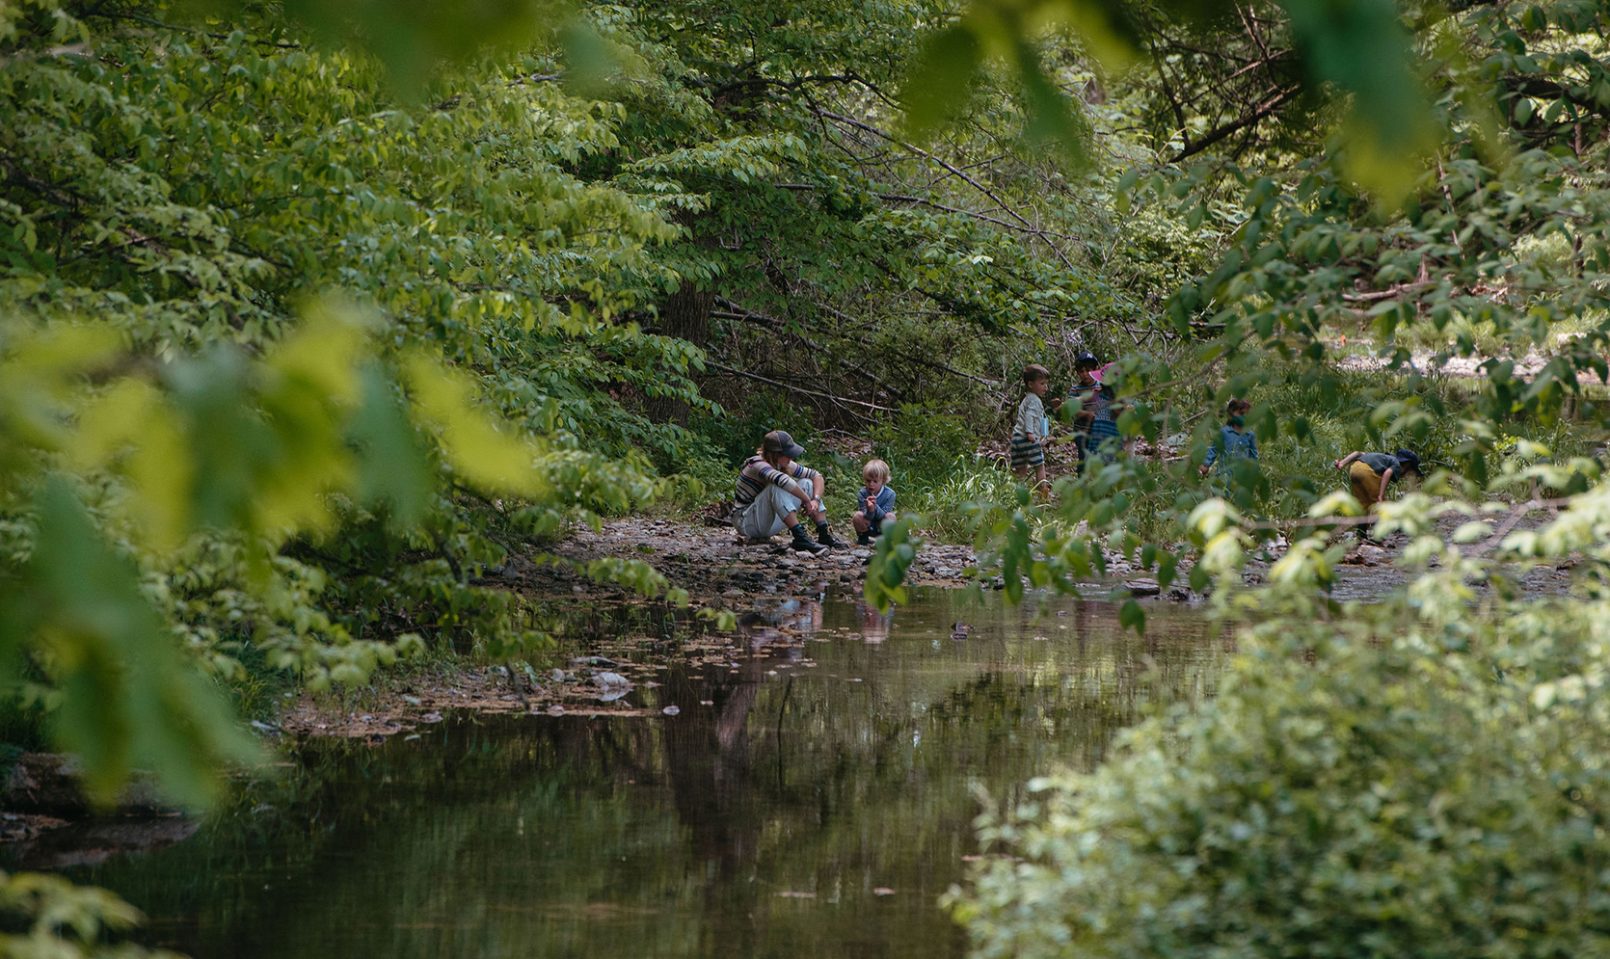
(814, 797)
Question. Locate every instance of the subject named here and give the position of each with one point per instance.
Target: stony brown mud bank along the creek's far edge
(772, 591)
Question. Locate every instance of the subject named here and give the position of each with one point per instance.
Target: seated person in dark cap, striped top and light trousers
(774, 490)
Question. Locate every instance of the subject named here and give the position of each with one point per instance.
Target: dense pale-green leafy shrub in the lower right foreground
(1342, 797)
